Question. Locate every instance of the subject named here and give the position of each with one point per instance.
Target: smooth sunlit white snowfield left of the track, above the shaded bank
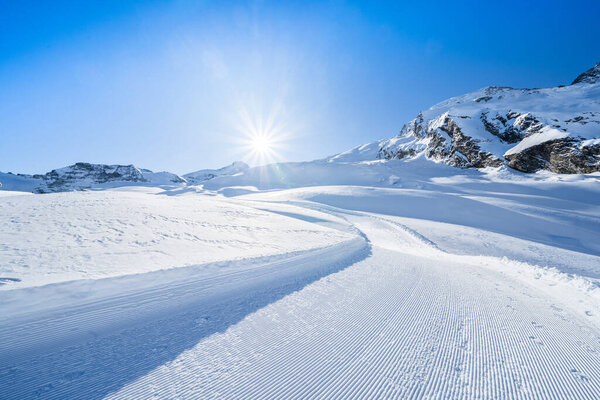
(90, 235)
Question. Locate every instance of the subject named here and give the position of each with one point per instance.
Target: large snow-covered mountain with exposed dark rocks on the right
(555, 129)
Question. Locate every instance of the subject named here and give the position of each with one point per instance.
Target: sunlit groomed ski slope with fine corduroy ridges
(395, 325)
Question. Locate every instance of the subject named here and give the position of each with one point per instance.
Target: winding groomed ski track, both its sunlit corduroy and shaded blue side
(401, 320)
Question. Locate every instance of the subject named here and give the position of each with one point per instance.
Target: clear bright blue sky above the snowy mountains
(173, 85)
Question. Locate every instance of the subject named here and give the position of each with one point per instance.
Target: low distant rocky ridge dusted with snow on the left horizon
(81, 176)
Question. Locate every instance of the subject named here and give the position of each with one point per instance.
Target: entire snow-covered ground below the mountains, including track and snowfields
(441, 284)
